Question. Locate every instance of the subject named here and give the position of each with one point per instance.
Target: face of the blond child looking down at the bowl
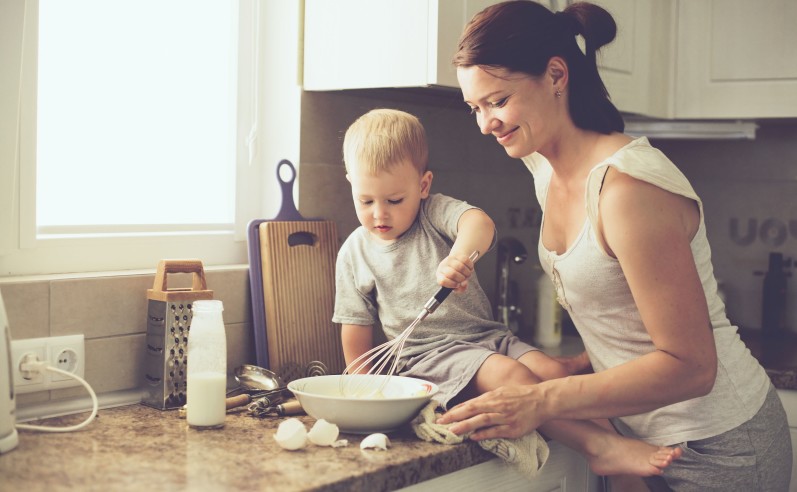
(388, 203)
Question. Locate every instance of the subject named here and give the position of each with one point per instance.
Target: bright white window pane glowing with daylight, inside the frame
(138, 129)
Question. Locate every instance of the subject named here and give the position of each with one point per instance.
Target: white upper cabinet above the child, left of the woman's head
(355, 44)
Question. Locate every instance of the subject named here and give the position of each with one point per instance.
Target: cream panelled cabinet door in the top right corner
(737, 59)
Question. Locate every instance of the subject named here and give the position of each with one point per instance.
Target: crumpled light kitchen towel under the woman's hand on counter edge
(527, 453)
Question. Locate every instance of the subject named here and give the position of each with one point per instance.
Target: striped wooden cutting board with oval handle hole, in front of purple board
(298, 264)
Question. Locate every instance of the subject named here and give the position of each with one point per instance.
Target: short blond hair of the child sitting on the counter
(382, 138)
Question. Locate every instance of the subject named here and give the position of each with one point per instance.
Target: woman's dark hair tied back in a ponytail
(522, 36)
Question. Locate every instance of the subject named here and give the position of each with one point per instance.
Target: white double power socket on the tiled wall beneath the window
(67, 353)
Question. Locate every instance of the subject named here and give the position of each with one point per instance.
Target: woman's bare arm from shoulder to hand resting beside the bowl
(649, 231)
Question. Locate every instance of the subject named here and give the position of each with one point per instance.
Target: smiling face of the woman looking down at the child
(517, 109)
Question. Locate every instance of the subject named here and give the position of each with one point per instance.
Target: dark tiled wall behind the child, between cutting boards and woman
(466, 165)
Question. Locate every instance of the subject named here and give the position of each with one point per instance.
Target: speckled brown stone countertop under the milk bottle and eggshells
(140, 448)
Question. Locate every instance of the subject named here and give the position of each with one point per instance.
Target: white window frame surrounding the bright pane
(269, 88)
